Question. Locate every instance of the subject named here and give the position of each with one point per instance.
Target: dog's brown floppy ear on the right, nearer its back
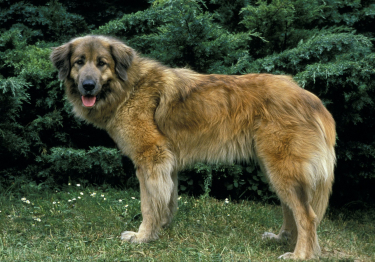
(123, 56)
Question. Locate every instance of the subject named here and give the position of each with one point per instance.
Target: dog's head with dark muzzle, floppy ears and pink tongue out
(90, 64)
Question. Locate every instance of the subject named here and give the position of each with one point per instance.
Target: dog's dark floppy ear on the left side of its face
(60, 57)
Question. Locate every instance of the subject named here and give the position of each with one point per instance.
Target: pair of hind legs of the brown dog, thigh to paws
(285, 158)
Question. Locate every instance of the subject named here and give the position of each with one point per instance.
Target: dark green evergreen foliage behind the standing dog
(327, 46)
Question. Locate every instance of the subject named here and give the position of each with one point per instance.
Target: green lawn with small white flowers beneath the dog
(84, 224)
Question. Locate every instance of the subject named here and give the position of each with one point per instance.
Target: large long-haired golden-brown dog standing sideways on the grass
(166, 119)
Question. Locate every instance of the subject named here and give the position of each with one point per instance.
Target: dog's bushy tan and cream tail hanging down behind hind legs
(324, 166)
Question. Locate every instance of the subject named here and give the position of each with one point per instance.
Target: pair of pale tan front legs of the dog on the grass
(157, 187)
